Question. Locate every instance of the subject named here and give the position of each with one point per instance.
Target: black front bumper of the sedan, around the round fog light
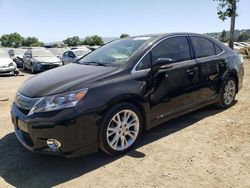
(76, 133)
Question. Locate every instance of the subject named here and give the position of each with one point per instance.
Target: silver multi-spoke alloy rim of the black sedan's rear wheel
(229, 92)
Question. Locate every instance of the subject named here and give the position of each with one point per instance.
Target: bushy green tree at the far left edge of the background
(11, 40)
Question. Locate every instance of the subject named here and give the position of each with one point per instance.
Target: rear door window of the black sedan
(202, 47)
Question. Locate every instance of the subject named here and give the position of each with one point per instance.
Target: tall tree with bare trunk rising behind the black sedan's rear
(227, 9)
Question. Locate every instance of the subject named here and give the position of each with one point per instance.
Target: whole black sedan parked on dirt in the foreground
(110, 96)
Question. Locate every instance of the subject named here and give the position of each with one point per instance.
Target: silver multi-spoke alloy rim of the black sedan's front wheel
(123, 130)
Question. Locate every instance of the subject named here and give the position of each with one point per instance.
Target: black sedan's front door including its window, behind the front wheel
(173, 89)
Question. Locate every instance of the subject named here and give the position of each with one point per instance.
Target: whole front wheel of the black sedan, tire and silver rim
(115, 136)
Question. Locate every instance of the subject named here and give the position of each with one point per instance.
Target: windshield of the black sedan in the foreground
(116, 53)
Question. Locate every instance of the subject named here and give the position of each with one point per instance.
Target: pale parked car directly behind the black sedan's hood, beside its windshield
(71, 56)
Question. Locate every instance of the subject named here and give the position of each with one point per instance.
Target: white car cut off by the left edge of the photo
(7, 65)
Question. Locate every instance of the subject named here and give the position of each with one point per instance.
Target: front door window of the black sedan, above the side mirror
(176, 48)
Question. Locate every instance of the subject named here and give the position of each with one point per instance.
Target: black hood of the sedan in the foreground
(62, 79)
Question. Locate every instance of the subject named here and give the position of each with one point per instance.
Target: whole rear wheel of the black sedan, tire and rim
(227, 93)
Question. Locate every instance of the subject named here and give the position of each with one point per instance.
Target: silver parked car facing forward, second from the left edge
(38, 60)
